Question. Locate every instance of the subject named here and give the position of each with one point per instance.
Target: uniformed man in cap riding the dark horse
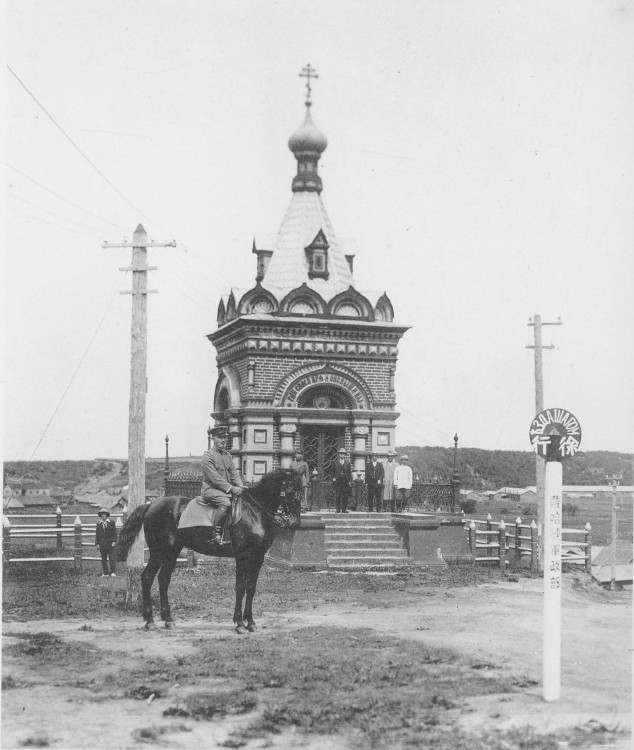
(221, 481)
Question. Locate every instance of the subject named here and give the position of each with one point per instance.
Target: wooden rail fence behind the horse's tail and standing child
(76, 535)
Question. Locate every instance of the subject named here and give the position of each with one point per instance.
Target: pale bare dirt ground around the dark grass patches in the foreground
(497, 625)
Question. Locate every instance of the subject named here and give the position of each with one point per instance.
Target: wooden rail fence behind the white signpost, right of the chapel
(500, 542)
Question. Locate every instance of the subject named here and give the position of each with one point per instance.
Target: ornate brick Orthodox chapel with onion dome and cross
(305, 359)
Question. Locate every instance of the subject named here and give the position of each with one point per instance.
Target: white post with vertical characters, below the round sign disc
(551, 666)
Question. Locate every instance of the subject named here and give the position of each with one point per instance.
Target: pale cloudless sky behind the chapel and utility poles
(480, 154)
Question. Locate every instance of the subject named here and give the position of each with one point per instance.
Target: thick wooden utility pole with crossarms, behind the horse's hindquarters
(138, 390)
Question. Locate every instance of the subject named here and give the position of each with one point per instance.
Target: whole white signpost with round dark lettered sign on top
(555, 435)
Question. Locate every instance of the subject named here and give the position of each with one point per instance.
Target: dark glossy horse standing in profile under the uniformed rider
(251, 537)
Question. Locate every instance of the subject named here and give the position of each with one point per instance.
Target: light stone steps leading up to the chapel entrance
(363, 542)
